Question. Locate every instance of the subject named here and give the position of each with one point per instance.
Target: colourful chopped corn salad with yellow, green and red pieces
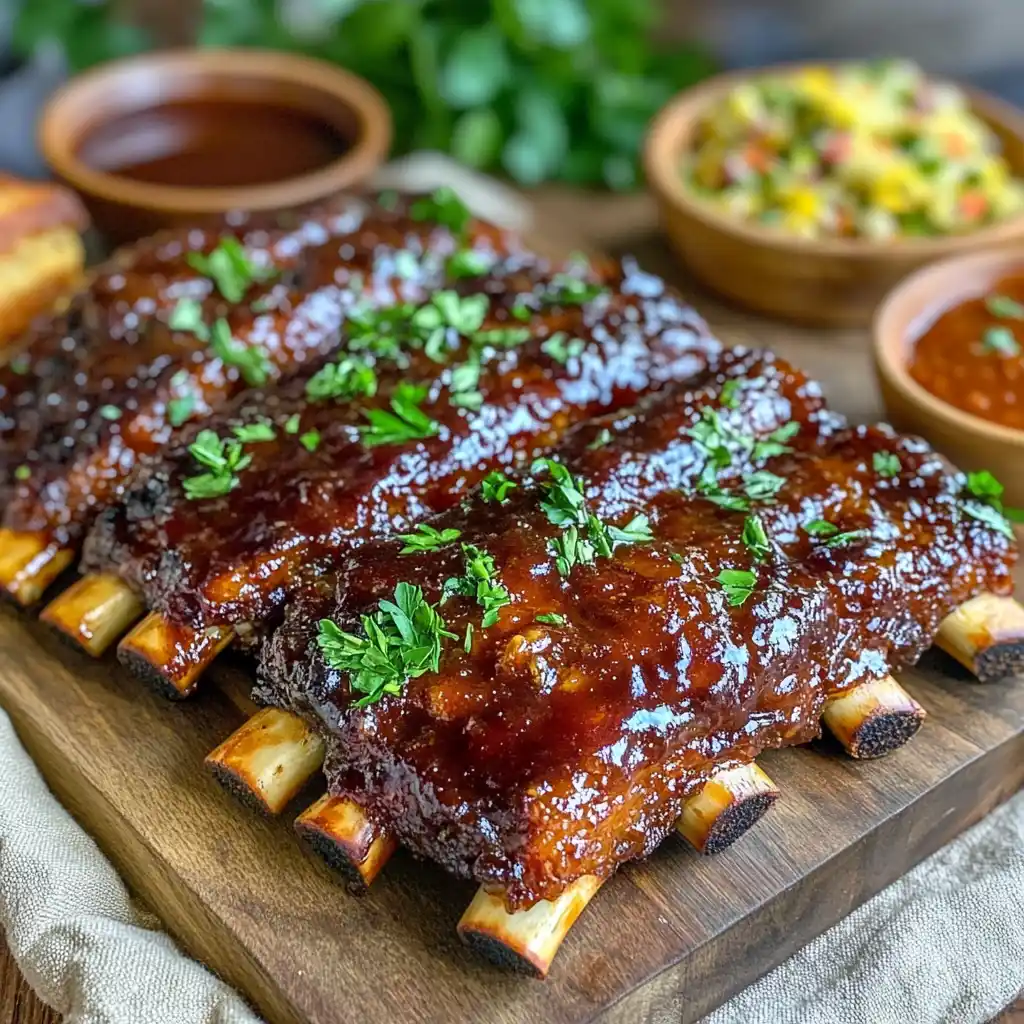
(872, 151)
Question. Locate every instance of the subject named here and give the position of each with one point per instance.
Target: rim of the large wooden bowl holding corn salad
(671, 130)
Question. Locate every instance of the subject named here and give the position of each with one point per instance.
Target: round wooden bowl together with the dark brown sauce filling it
(103, 126)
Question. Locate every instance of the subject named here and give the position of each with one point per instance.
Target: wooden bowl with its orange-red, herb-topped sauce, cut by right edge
(950, 357)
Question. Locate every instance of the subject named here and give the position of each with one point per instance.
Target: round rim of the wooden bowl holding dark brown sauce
(61, 131)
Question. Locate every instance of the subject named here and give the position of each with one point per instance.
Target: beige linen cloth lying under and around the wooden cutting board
(944, 946)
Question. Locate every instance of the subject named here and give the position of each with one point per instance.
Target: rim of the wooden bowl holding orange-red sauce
(917, 301)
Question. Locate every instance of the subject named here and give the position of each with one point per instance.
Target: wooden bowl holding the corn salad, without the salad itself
(833, 282)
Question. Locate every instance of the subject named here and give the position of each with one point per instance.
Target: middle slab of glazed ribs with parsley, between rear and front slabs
(526, 355)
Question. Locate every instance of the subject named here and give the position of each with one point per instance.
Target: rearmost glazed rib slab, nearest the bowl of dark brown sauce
(169, 330)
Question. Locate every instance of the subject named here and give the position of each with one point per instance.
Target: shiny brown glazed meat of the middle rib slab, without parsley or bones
(295, 514)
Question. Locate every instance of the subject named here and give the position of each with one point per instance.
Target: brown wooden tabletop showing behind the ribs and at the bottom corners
(617, 225)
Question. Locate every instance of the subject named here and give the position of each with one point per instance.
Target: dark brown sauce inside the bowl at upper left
(214, 145)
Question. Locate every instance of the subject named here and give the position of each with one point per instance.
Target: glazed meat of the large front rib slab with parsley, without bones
(565, 737)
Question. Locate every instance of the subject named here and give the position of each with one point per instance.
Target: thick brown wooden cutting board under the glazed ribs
(676, 934)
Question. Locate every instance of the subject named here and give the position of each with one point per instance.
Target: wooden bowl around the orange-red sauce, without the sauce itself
(969, 441)
